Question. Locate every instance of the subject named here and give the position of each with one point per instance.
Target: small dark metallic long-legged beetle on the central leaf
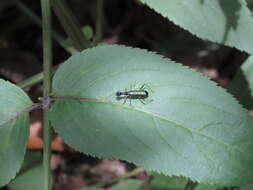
(141, 94)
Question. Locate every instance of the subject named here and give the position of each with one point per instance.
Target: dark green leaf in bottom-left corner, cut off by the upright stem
(30, 180)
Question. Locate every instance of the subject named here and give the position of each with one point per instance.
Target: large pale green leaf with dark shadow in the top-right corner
(227, 22)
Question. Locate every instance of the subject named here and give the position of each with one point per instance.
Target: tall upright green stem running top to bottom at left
(47, 63)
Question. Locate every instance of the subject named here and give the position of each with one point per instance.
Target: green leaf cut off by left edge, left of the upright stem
(13, 134)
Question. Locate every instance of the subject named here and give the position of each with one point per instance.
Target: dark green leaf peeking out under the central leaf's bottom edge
(161, 182)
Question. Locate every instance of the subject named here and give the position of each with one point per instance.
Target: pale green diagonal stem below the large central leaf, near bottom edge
(125, 176)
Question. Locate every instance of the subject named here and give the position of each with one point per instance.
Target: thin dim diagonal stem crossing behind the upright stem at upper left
(38, 22)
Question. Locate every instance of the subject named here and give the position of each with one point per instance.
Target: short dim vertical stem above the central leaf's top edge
(99, 21)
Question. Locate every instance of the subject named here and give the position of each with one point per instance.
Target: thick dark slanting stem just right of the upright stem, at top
(70, 24)
